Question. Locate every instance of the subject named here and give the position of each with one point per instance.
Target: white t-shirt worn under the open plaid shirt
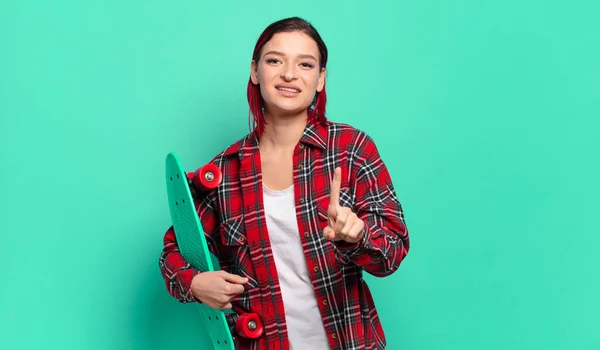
(303, 319)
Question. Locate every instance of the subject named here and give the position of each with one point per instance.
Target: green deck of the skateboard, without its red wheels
(193, 245)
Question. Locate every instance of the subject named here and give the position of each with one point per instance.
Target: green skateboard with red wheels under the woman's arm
(194, 248)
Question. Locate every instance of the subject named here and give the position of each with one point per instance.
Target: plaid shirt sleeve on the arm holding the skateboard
(175, 270)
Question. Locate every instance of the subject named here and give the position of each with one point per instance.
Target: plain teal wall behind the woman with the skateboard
(485, 112)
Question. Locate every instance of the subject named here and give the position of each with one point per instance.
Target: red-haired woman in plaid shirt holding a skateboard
(304, 208)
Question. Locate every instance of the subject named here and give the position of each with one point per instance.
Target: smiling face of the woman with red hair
(288, 73)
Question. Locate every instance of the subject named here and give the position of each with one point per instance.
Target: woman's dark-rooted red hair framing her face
(316, 111)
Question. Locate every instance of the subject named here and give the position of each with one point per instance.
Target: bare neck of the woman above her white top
(283, 132)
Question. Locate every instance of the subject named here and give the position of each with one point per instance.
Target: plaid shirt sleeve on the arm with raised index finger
(385, 240)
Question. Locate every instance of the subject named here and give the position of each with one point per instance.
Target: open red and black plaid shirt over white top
(234, 223)
